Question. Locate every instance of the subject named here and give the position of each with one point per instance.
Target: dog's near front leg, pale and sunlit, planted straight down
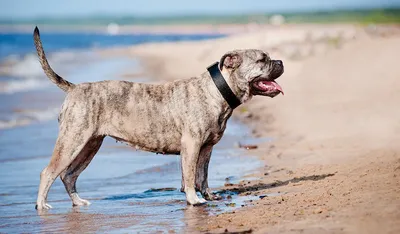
(190, 149)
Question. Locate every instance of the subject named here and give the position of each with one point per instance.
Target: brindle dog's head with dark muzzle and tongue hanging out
(253, 72)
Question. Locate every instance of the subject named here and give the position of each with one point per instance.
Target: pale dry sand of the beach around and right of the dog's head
(335, 158)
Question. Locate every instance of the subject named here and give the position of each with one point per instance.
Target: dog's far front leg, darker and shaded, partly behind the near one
(202, 174)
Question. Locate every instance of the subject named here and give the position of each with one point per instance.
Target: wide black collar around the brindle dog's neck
(222, 86)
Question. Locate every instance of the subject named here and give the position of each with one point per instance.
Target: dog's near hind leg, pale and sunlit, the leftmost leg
(69, 144)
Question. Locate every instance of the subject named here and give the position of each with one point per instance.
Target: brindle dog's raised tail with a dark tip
(54, 77)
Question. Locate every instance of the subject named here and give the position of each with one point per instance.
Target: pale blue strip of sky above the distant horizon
(13, 9)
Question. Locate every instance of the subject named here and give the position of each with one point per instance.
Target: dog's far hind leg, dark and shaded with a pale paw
(71, 174)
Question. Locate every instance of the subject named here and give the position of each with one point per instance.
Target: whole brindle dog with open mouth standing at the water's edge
(186, 117)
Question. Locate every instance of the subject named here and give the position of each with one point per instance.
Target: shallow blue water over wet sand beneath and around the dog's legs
(119, 183)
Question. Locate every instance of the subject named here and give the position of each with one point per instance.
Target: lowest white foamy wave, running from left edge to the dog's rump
(26, 117)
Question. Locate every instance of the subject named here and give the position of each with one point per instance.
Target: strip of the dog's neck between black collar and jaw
(241, 91)
